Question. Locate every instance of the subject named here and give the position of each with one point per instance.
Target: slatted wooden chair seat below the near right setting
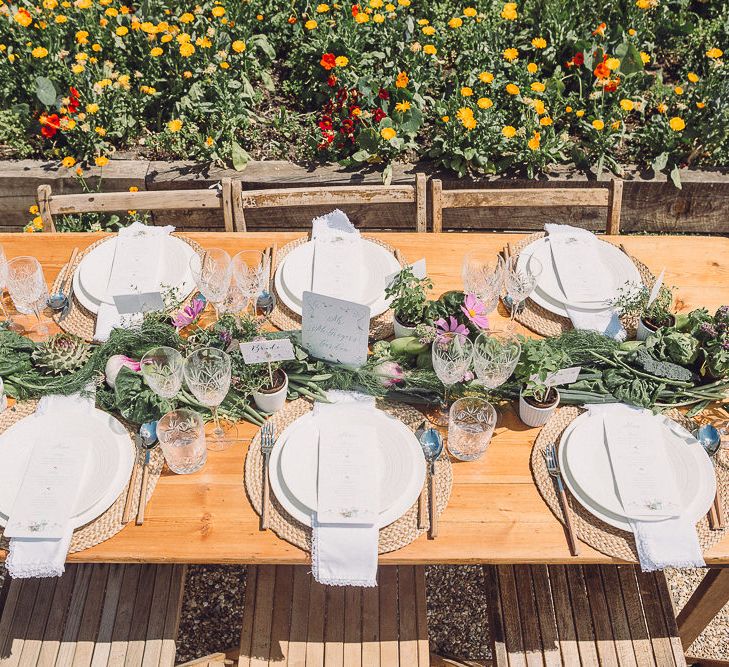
(581, 615)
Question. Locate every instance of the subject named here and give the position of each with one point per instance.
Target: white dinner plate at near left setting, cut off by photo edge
(109, 464)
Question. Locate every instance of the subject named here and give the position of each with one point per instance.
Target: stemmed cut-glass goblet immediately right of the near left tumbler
(207, 373)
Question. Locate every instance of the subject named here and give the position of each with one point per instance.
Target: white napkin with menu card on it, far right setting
(576, 256)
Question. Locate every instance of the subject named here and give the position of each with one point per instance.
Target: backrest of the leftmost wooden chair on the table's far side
(50, 205)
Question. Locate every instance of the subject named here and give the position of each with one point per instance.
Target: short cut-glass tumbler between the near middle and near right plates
(470, 427)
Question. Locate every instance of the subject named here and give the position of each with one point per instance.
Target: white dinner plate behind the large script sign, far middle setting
(291, 280)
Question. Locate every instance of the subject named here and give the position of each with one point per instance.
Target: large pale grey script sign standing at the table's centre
(335, 330)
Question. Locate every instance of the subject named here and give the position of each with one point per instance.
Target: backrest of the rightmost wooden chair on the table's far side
(610, 197)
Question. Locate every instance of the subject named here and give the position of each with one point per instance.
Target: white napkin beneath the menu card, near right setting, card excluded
(671, 542)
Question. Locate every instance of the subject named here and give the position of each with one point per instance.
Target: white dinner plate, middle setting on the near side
(293, 473)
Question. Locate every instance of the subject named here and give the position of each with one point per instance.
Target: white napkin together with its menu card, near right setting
(669, 542)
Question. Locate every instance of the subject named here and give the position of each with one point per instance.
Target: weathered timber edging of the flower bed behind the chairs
(649, 204)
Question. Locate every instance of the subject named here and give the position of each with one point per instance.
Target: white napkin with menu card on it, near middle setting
(344, 550)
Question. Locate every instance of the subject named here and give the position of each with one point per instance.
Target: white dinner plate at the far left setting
(91, 278)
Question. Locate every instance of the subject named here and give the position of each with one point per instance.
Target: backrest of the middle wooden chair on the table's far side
(331, 197)
